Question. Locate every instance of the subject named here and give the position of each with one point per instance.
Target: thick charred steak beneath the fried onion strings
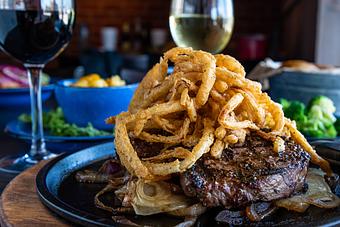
(248, 173)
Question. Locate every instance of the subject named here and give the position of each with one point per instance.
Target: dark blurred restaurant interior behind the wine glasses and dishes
(280, 29)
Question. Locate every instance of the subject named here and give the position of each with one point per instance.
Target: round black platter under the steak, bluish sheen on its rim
(58, 190)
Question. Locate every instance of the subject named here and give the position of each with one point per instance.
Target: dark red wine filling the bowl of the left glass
(35, 36)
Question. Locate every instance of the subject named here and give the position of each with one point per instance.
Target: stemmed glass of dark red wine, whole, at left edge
(34, 32)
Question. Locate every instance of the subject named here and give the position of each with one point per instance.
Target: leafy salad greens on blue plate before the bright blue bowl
(54, 121)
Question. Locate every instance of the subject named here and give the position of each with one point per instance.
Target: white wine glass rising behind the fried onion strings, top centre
(202, 24)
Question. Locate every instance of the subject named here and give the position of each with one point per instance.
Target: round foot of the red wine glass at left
(15, 164)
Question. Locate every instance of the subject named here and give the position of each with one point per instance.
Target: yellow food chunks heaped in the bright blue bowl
(94, 80)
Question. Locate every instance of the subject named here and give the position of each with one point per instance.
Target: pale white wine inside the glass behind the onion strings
(201, 32)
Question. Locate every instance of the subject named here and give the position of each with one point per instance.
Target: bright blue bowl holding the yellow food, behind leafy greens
(94, 105)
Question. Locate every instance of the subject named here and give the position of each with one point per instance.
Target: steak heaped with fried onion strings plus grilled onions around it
(205, 138)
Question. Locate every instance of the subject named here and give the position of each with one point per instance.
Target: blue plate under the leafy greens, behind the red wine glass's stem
(56, 144)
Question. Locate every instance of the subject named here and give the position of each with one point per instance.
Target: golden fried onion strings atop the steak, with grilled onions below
(204, 106)
